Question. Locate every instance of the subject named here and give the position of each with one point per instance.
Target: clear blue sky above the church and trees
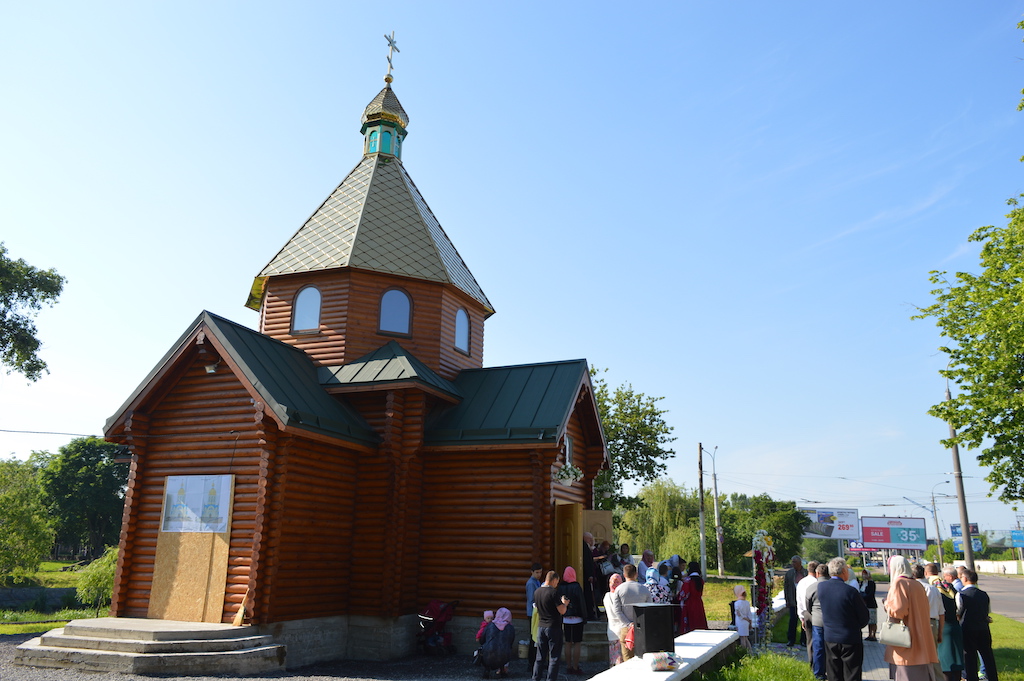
(732, 205)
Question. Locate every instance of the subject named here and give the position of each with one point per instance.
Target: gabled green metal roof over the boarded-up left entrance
(284, 377)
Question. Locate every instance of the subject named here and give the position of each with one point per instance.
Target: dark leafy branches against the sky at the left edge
(24, 289)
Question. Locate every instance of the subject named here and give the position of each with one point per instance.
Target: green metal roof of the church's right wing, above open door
(527, 403)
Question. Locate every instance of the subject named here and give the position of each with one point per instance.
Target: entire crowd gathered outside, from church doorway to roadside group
(947, 615)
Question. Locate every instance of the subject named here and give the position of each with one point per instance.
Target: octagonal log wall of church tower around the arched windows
(350, 316)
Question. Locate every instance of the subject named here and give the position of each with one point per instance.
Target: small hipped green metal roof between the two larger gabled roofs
(389, 364)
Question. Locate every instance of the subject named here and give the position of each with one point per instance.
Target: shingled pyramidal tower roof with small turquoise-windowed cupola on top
(376, 220)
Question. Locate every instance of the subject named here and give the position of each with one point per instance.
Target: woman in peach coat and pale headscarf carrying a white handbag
(908, 603)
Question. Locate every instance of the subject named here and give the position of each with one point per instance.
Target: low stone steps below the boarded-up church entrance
(154, 647)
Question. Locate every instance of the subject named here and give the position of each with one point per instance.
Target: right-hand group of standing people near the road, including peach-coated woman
(945, 613)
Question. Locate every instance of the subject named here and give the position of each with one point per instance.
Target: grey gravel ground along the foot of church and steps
(410, 669)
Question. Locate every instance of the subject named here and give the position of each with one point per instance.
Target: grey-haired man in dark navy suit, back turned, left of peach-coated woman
(844, 615)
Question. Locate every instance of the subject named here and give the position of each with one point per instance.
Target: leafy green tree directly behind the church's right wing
(637, 438)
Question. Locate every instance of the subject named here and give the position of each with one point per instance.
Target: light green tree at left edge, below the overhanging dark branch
(26, 536)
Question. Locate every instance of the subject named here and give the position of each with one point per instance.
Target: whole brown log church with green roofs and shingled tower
(354, 459)
